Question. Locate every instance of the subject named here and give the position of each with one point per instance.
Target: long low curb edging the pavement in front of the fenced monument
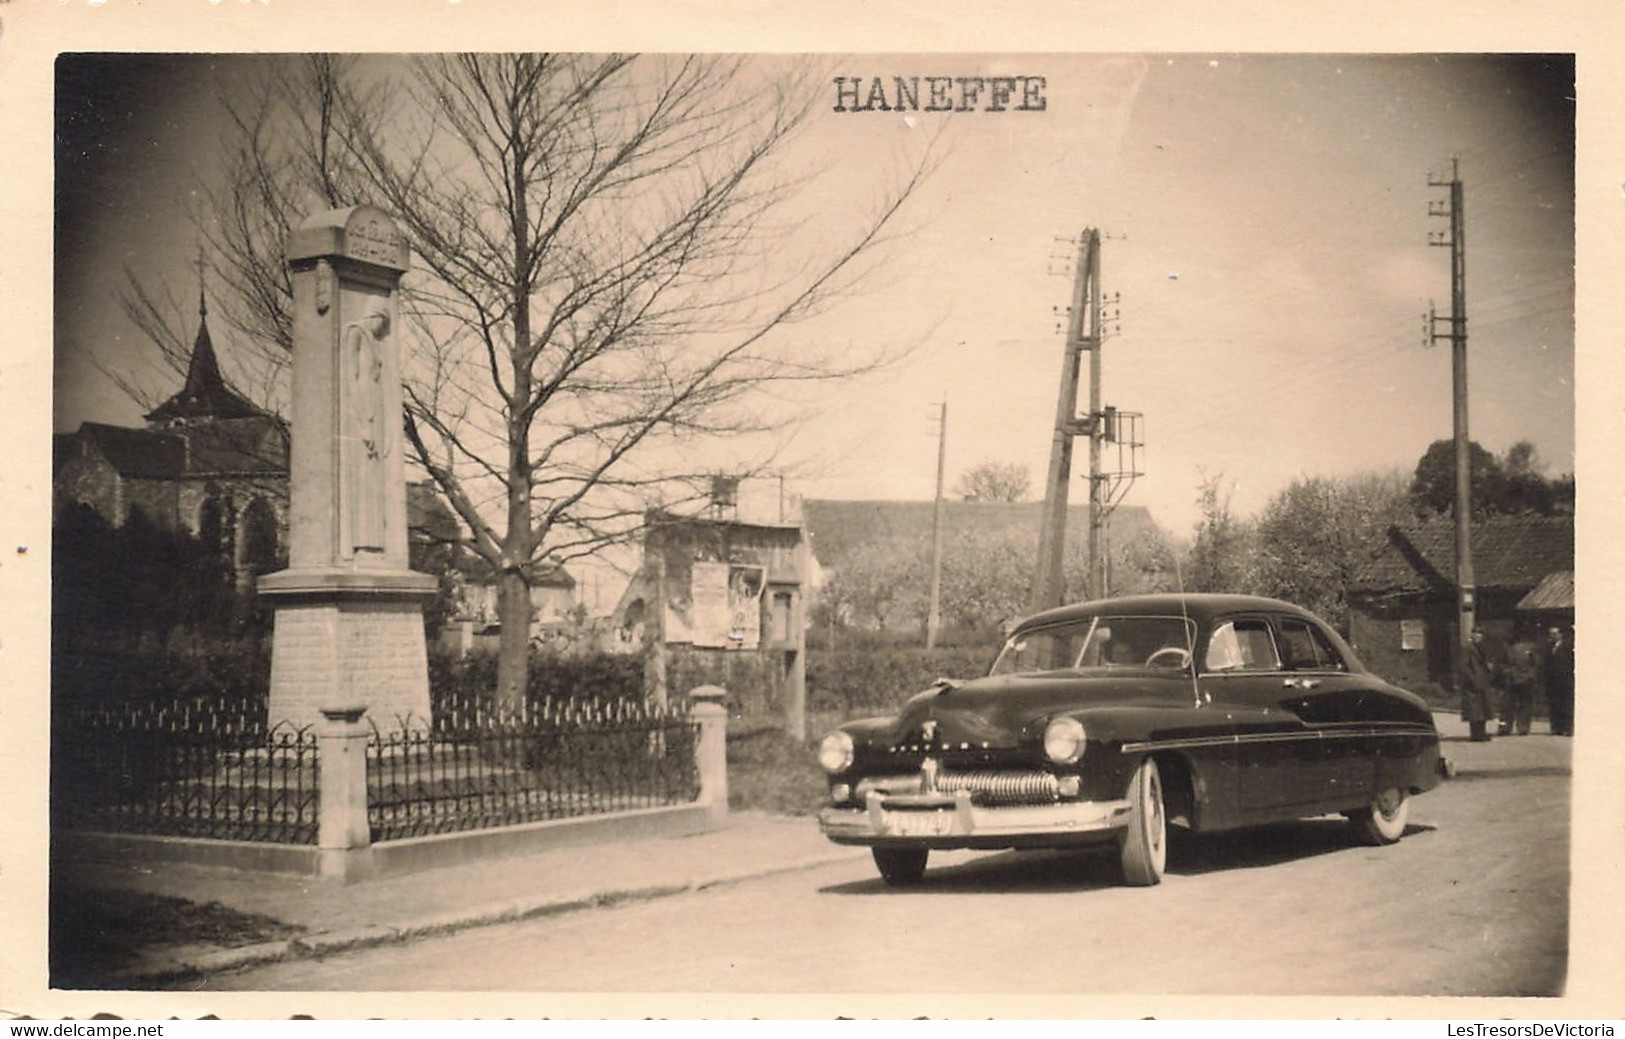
(191, 967)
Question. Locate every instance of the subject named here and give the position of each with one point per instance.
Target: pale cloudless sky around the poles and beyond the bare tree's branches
(1265, 227)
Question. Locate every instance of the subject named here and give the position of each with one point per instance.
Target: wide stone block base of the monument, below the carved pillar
(349, 638)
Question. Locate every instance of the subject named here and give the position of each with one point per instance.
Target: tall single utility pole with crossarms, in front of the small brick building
(1457, 241)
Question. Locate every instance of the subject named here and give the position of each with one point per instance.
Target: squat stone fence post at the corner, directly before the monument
(344, 835)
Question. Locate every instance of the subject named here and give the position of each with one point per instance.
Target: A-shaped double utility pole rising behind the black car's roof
(1083, 333)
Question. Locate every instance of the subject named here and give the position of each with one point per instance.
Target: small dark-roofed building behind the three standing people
(1403, 602)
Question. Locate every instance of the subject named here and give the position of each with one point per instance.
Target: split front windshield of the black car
(1099, 641)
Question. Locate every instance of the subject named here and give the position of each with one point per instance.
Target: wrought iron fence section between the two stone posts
(480, 767)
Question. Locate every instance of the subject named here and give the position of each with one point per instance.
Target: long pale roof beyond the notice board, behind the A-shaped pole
(838, 528)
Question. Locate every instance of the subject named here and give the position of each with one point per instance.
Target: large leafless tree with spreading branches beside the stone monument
(609, 253)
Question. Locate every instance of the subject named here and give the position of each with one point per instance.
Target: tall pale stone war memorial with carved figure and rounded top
(349, 612)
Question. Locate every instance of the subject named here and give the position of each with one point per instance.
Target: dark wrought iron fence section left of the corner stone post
(188, 770)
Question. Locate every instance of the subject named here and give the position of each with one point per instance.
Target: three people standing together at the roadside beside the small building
(1506, 682)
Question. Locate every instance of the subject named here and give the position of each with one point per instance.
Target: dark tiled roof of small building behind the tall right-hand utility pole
(1510, 554)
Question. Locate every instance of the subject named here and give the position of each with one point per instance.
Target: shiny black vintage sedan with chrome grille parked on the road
(1109, 721)
